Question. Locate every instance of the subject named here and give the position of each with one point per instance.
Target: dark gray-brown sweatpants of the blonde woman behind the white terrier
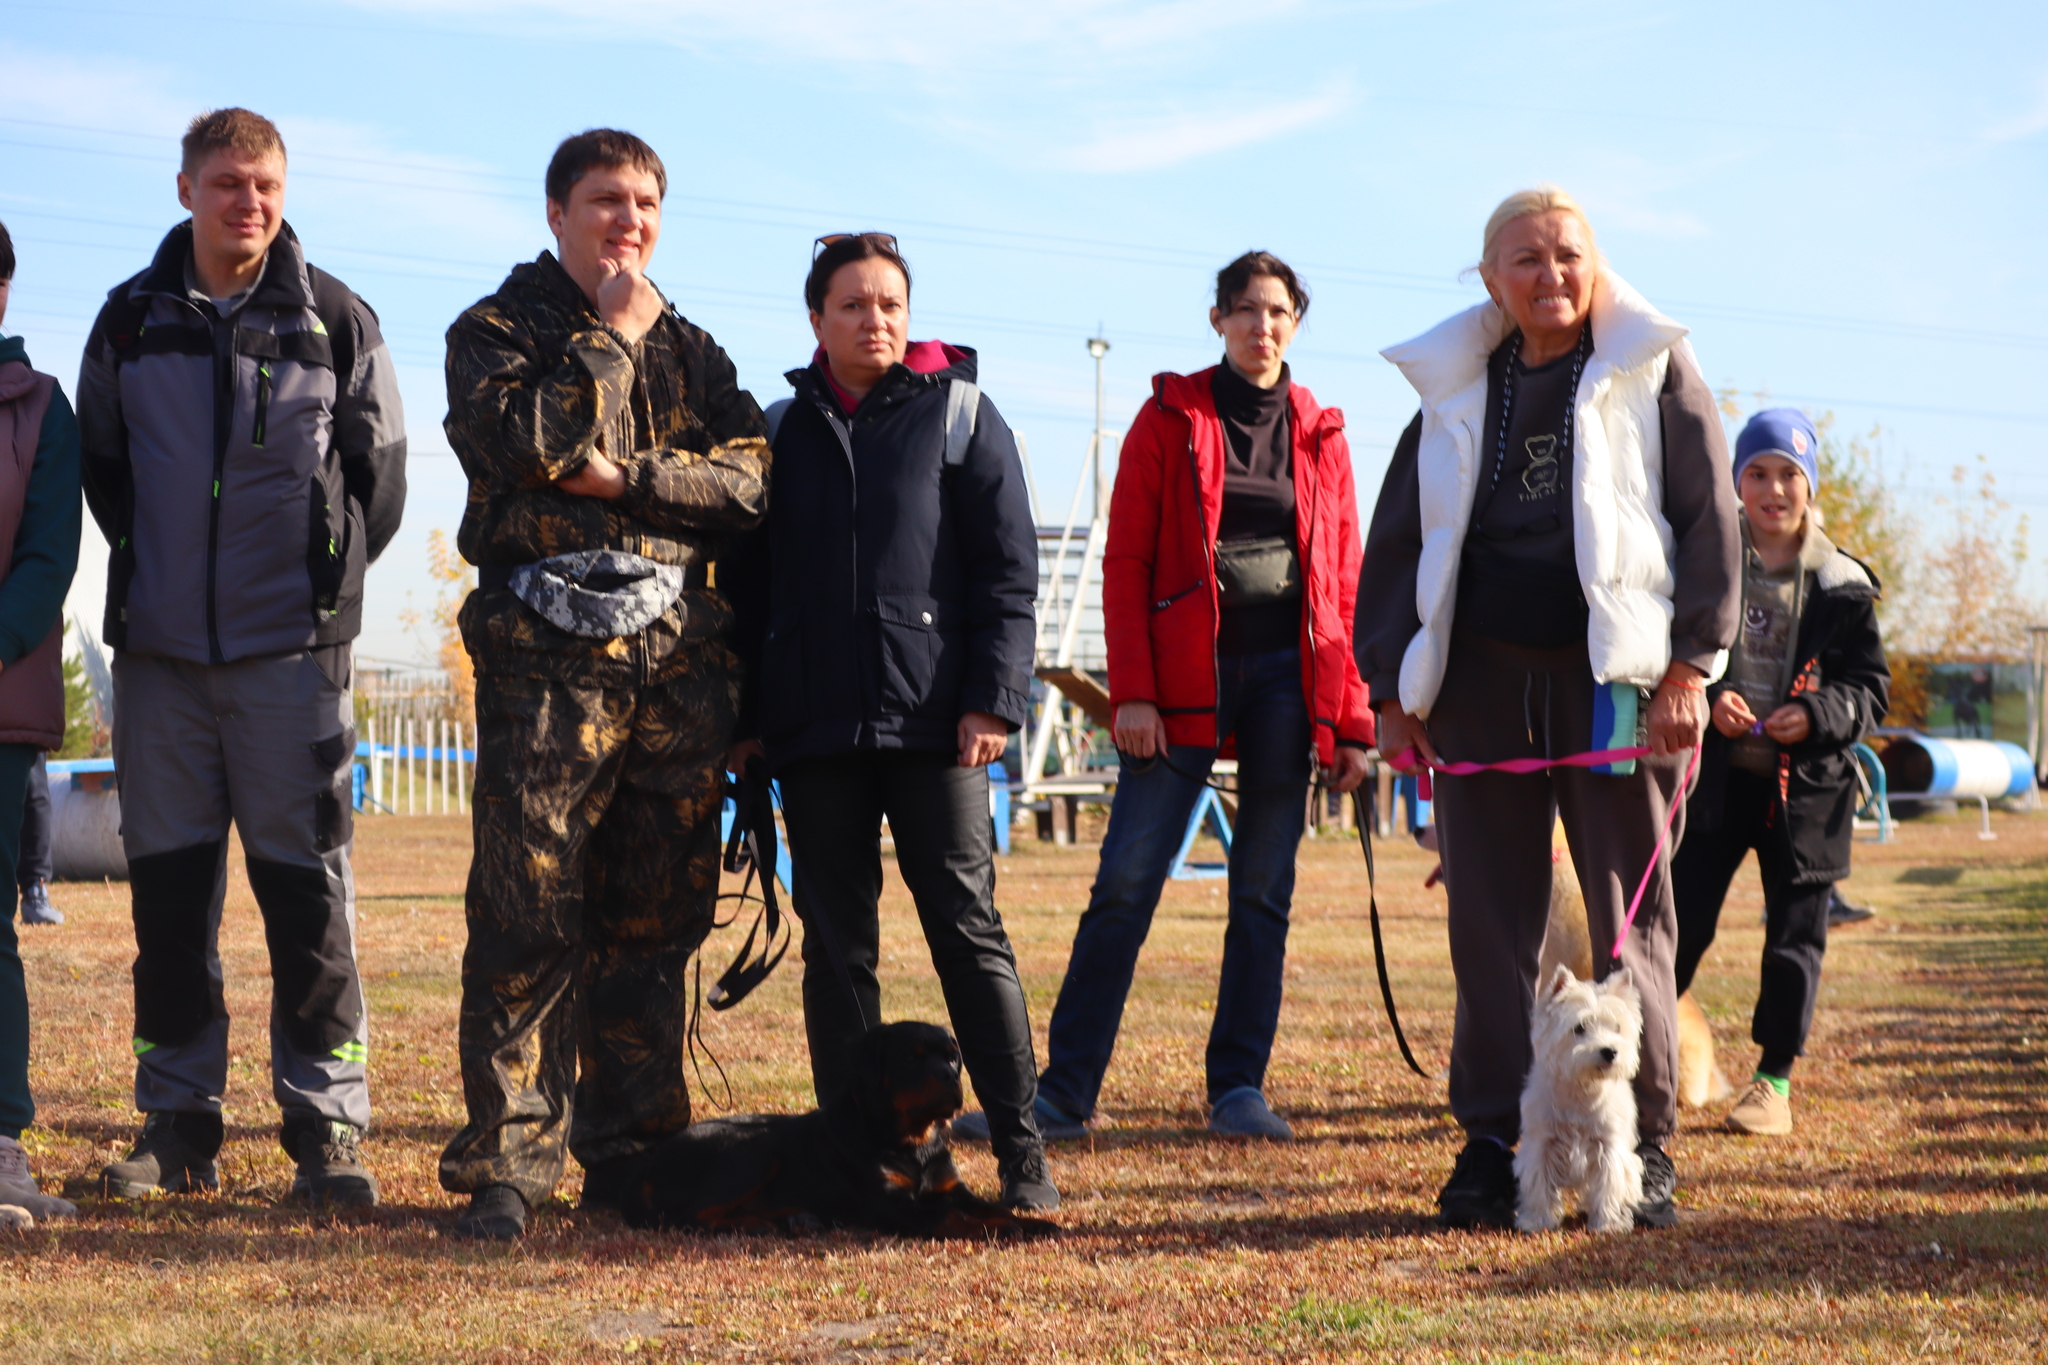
(1494, 832)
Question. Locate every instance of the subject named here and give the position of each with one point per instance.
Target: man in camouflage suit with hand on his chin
(611, 455)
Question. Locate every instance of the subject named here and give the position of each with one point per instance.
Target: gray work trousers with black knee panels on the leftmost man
(267, 746)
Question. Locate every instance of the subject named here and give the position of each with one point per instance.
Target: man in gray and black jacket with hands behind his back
(245, 455)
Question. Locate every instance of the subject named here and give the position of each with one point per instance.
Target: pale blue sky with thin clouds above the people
(1844, 202)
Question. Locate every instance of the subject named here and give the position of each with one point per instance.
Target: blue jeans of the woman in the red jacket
(1261, 701)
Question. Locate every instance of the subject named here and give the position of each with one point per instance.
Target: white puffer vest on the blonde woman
(1623, 539)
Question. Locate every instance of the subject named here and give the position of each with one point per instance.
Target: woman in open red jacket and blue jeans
(1228, 595)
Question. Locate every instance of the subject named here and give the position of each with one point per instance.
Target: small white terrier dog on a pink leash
(1578, 1106)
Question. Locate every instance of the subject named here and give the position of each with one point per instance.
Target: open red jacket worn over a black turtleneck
(1158, 572)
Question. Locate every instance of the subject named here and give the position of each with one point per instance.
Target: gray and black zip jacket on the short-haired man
(245, 470)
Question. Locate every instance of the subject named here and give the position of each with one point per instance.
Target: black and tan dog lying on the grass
(876, 1157)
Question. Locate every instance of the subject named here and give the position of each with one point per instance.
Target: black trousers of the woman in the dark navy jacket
(939, 816)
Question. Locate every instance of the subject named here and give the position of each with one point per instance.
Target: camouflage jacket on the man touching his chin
(536, 386)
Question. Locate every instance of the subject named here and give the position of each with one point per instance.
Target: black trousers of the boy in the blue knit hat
(1795, 918)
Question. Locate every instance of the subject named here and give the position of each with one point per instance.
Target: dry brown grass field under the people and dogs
(1908, 1217)
